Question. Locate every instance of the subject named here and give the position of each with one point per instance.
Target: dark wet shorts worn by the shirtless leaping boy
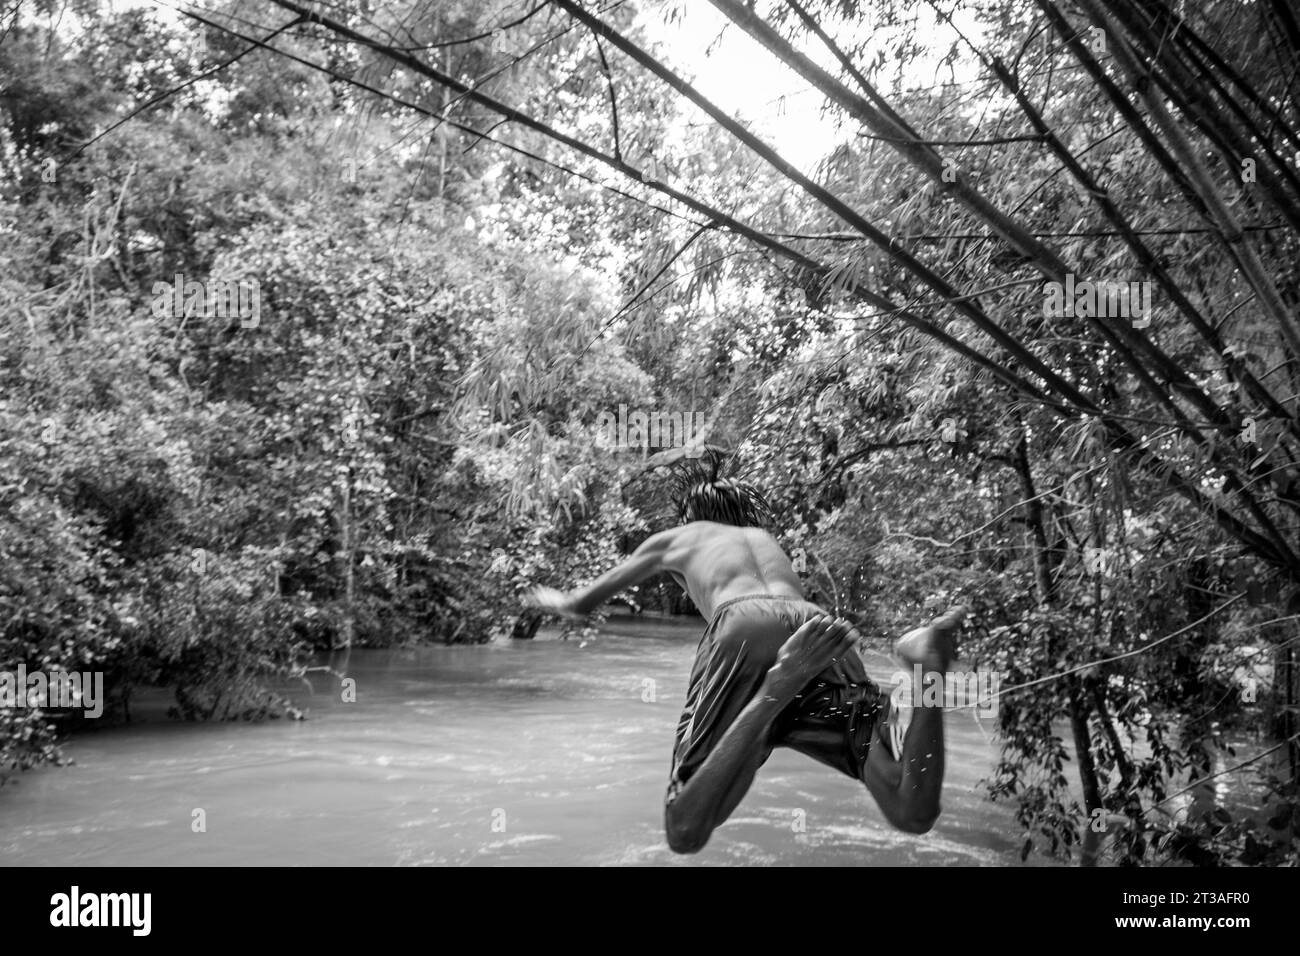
(831, 720)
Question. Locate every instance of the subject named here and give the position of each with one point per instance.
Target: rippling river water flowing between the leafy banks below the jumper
(527, 754)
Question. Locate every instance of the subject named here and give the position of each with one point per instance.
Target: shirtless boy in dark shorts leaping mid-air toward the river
(773, 671)
